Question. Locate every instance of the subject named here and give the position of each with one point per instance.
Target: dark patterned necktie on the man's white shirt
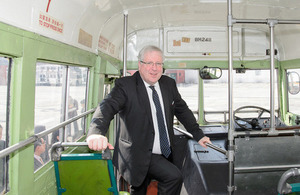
(164, 143)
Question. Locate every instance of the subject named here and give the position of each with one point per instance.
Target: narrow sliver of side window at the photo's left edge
(5, 67)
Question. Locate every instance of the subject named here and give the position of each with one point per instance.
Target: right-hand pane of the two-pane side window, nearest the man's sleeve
(76, 102)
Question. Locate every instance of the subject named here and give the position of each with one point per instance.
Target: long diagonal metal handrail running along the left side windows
(35, 137)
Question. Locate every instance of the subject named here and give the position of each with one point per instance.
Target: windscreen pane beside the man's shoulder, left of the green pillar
(187, 83)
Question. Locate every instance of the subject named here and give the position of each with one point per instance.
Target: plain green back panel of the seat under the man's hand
(84, 177)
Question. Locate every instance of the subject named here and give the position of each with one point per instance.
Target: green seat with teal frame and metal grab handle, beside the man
(81, 172)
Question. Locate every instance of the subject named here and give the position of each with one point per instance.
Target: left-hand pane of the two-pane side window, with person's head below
(49, 109)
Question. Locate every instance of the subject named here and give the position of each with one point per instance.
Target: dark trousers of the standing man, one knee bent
(166, 173)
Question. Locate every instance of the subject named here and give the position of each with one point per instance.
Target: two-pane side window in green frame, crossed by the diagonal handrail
(52, 85)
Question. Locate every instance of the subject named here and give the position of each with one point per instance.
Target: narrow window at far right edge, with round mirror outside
(293, 97)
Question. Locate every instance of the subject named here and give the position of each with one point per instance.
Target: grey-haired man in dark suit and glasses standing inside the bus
(146, 103)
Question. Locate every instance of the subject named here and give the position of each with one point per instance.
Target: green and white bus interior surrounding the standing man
(236, 63)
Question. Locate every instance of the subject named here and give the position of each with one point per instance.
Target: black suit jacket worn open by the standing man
(135, 137)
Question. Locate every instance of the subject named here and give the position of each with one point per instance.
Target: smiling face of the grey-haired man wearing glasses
(151, 73)
